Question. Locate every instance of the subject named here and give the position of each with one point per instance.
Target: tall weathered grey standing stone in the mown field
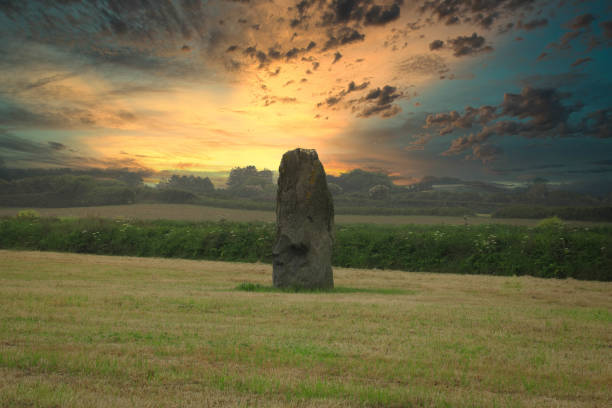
(304, 223)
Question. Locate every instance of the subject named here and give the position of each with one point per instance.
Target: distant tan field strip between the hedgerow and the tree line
(201, 213)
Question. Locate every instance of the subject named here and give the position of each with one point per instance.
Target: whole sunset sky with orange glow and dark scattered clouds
(493, 90)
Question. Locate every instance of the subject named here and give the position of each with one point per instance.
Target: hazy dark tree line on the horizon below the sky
(357, 191)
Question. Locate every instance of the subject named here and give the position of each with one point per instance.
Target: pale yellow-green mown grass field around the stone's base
(85, 330)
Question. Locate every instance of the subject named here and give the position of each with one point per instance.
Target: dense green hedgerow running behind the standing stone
(551, 250)
